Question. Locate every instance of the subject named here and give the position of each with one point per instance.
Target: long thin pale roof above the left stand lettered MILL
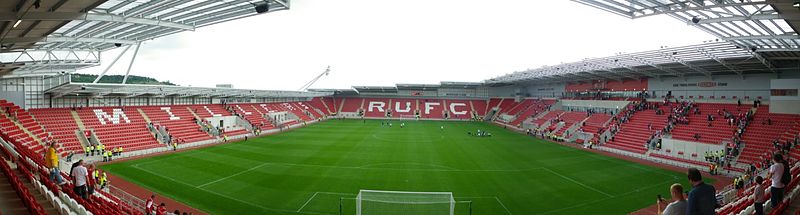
(136, 90)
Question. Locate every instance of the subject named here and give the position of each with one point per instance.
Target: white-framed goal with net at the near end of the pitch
(372, 202)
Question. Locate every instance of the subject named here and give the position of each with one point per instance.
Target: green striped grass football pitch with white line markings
(316, 169)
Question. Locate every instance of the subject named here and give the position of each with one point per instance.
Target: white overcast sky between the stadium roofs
(384, 42)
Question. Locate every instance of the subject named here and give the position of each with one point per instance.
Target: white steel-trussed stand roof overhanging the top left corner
(51, 36)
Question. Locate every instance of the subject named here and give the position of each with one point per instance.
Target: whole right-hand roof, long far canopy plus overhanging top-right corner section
(755, 36)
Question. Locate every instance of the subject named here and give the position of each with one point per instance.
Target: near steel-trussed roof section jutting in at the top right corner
(761, 24)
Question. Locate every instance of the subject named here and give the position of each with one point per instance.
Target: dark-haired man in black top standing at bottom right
(701, 198)
